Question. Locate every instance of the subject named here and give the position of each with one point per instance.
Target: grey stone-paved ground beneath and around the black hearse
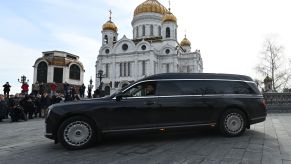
(268, 142)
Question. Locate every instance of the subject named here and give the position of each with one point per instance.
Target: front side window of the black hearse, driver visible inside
(142, 89)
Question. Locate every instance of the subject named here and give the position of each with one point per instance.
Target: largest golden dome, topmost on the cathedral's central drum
(150, 6)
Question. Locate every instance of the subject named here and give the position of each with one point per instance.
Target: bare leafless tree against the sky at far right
(273, 65)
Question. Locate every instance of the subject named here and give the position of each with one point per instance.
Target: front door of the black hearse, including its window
(135, 108)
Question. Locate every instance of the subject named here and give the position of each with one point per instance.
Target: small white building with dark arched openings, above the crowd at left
(58, 67)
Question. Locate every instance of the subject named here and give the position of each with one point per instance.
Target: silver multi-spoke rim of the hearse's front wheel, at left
(77, 133)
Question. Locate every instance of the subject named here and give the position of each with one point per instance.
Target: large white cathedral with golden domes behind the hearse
(154, 49)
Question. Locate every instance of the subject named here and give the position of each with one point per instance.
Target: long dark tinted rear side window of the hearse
(202, 87)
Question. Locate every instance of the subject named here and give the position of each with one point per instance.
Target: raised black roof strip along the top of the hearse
(198, 76)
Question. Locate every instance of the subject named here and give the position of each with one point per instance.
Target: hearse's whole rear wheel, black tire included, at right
(232, 123)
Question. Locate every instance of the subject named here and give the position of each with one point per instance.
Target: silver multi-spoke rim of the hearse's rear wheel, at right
(233, 123)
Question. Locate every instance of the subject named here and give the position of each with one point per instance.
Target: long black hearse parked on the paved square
(163, 101)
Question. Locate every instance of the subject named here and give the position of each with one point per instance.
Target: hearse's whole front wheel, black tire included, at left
(77, 132)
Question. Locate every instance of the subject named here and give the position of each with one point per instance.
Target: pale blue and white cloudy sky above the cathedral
(229, 34)
